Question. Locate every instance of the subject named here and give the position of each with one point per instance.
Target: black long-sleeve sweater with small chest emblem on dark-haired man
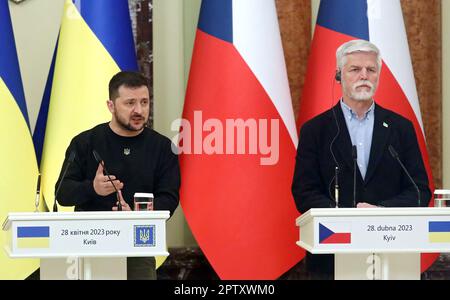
(144, 163)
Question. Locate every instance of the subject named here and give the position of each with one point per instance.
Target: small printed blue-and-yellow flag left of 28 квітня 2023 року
(33, 237)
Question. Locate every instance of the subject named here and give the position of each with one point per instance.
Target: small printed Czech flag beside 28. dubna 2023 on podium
(335, 233)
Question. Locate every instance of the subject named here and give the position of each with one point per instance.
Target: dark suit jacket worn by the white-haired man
(385, 184)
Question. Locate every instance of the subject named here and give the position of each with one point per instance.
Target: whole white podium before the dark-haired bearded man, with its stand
(86, 245)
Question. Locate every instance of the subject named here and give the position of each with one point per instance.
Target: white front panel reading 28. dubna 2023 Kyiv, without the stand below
(368, 230)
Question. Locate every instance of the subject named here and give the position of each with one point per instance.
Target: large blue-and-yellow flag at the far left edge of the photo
(18, 171)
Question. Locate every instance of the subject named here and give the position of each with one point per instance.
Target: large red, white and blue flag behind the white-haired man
(380, 22)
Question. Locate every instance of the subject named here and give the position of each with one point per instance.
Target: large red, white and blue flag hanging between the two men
(235, 190)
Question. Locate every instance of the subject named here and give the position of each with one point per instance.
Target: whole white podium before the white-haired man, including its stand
(375, 243)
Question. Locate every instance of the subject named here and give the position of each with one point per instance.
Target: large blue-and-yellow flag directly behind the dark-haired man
(95, 42)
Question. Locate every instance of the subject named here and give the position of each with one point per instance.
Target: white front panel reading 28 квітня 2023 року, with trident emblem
(88, 234)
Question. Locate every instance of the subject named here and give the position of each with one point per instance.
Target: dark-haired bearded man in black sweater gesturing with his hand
(138, 159)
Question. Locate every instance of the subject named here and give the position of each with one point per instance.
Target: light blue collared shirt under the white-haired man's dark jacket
(361, 131)
